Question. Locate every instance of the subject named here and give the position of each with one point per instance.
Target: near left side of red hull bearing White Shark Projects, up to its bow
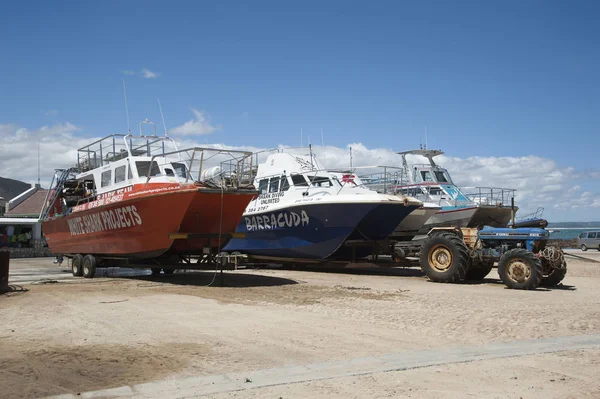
(134, 228)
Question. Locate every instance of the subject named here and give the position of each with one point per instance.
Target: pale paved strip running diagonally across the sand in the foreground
(212, 384)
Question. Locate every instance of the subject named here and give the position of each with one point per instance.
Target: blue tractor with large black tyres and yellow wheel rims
(451, 255)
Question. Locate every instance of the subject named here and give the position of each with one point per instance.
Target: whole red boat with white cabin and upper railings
(130, 199)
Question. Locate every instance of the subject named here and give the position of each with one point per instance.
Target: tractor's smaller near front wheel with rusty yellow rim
(520, 269)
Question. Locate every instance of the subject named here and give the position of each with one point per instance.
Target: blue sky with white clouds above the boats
(509, 90)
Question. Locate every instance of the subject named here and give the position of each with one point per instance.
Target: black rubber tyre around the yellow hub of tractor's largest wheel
(456, 272)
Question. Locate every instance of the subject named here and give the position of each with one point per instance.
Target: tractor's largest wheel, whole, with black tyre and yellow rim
(444, 258)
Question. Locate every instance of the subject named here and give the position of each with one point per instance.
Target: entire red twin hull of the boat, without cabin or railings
(136, 222)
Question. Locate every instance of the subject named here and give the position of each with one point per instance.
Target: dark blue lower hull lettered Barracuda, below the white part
(315, 231)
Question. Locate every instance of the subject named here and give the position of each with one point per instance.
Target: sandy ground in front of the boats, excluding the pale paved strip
(80, 335)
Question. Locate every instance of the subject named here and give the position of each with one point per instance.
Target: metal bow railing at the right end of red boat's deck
(212, 167)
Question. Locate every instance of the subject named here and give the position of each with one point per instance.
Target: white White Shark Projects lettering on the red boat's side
(113, 219)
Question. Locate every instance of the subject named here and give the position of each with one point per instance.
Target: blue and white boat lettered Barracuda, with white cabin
(303, 212)
